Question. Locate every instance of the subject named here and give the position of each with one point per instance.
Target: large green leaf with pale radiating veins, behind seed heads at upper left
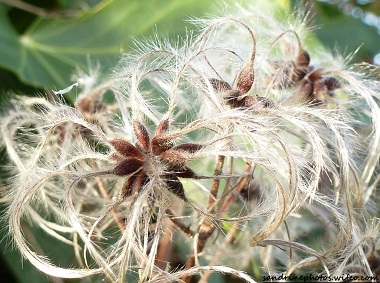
(50, 50)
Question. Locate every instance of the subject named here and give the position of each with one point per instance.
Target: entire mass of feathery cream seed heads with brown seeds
(271, 146)
